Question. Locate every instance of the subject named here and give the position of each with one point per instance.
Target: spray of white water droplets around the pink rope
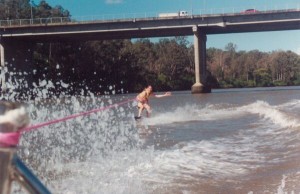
(51, 151)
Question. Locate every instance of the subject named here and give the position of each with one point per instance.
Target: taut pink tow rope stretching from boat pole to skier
(12, 139)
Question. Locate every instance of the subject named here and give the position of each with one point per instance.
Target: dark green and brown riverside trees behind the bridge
(121, 66)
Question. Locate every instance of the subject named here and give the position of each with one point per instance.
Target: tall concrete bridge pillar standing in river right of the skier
(200, 62)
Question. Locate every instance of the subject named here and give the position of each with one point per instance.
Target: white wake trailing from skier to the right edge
(282, 115)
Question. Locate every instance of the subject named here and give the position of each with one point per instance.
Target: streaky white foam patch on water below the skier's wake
(192, 160)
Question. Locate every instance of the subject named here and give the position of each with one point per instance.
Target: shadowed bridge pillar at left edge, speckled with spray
(16, 58)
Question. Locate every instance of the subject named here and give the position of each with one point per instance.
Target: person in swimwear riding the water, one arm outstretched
(143, 100)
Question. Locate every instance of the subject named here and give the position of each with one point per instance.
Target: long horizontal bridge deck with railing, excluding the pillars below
(66, 29)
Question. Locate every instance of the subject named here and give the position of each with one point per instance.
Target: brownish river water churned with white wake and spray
(228, 141)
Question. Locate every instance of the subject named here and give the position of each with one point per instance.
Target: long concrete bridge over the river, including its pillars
(19, 36)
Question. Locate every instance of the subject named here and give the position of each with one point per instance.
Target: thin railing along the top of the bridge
(133, 16)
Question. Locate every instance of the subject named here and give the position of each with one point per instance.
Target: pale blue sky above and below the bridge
(263, 41)
